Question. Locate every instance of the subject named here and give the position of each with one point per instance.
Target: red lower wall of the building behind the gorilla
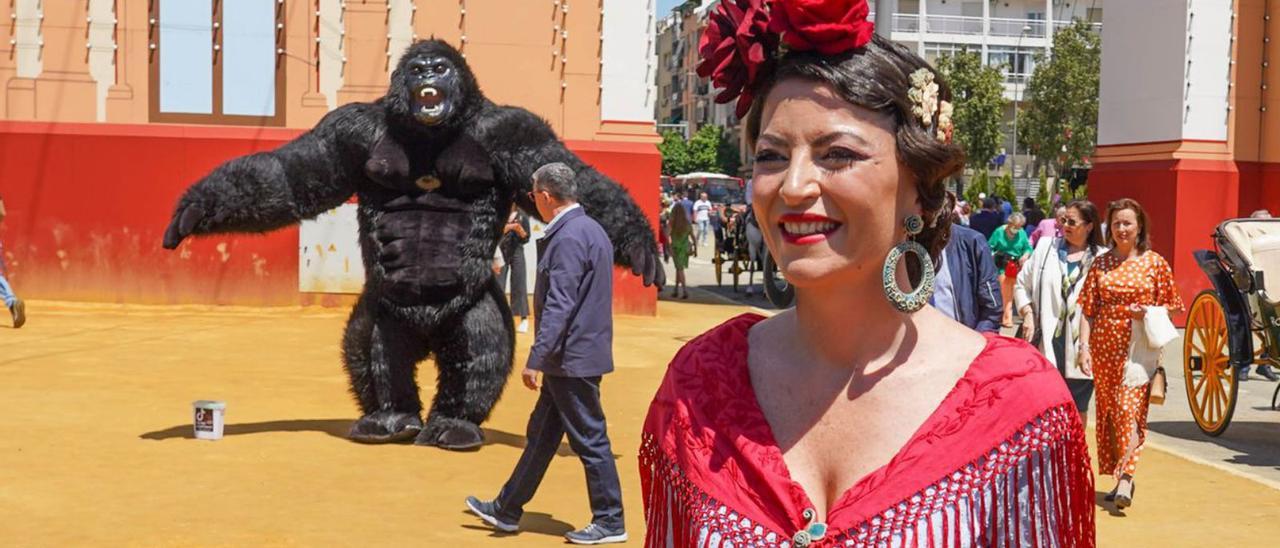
(88, 205)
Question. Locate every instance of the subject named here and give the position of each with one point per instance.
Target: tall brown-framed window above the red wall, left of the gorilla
(217, 62)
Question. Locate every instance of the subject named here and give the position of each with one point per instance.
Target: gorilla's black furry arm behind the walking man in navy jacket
(520, 143)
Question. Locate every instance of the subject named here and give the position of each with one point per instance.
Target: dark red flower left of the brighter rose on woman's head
(735, 45)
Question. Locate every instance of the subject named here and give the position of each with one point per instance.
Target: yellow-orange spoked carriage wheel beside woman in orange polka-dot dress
(1212, 381)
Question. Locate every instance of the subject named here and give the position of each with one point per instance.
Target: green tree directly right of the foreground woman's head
(979, 97)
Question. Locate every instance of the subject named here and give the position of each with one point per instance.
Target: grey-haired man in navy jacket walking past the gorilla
(573, 349)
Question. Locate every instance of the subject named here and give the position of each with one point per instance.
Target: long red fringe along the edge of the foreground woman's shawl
(1032, 490)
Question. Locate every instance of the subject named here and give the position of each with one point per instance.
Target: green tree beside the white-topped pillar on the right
(1060, 118)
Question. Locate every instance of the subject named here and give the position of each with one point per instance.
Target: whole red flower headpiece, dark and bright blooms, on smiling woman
(743, 36)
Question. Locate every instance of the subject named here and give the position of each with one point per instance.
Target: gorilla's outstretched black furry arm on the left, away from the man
(266, 191)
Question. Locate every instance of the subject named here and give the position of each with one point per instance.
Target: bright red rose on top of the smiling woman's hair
(828, 26)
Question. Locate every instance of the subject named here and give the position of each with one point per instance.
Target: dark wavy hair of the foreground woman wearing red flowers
(877, 77)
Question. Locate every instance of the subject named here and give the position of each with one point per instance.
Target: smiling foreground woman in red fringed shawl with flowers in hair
(862, 417)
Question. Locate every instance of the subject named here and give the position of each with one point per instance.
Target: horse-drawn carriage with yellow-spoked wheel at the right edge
(1237, 323)
